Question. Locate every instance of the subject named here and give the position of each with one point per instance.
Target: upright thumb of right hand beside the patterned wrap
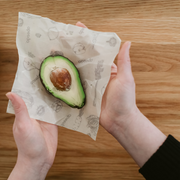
(123, 62)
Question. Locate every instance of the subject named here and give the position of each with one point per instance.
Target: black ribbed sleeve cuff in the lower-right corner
(164, 164)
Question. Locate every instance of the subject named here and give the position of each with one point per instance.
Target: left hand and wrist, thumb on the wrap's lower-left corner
(36, 142)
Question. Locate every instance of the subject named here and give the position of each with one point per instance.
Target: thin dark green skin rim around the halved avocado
(55, 96)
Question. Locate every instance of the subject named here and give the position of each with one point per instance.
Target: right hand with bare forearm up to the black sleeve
(121, 117)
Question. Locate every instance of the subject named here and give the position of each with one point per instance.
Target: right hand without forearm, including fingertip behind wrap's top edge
(118, 102)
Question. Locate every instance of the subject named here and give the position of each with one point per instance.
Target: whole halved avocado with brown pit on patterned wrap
(61, 79)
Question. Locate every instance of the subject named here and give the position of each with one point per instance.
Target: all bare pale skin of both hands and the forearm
(37, 141)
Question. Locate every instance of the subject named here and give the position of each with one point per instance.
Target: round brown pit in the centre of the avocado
(61, 79)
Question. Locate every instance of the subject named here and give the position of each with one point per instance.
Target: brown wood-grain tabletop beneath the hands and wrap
(153, 27)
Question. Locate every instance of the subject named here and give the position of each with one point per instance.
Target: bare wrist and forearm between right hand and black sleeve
(139, 137)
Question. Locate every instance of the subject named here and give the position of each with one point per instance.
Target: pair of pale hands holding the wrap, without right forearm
(37, 141)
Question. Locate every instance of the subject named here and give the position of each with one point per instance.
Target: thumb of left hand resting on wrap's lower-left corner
(20, 108)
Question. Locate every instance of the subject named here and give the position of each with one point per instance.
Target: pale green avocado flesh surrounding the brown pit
(75, 96)
